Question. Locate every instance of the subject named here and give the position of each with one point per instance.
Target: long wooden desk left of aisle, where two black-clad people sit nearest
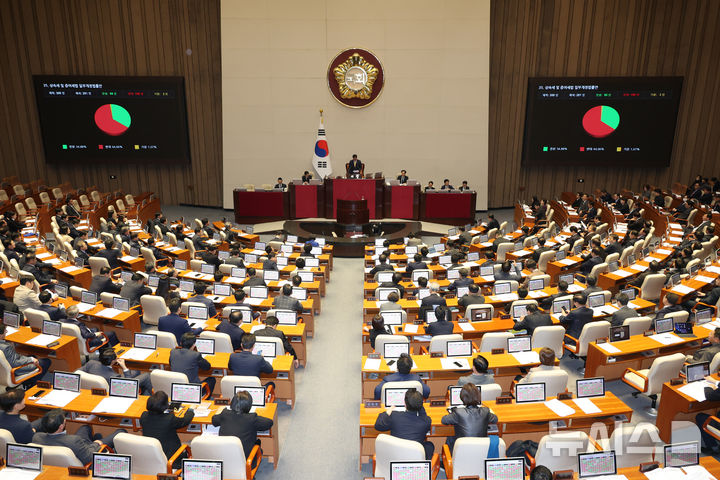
(86, 402)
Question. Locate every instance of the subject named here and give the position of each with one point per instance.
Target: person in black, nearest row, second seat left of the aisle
(160, 422)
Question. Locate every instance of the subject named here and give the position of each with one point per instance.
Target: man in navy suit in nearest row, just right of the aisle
(412, 424)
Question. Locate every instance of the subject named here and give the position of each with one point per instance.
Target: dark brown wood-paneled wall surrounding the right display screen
(602, 38)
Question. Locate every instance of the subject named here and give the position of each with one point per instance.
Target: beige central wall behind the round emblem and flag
(431, 119)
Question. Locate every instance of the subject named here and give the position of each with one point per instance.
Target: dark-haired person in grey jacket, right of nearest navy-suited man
(471, 421)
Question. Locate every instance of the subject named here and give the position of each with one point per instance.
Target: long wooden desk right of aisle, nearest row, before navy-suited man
(529, 421)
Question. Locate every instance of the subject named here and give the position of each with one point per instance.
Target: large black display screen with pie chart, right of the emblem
(608, 121)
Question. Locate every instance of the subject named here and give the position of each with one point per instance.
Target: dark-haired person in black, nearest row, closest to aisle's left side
(237, 421)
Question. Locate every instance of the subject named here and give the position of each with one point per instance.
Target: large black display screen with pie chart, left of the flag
(108, 119)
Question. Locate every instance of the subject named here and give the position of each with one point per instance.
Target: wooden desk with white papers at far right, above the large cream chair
(637, 352)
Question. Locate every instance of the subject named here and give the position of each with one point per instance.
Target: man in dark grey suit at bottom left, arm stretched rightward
(83, 444)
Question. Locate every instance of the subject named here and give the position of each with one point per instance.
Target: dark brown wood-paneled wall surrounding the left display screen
(114, 37)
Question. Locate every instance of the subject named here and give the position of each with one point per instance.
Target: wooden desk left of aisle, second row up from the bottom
(283, 370)
